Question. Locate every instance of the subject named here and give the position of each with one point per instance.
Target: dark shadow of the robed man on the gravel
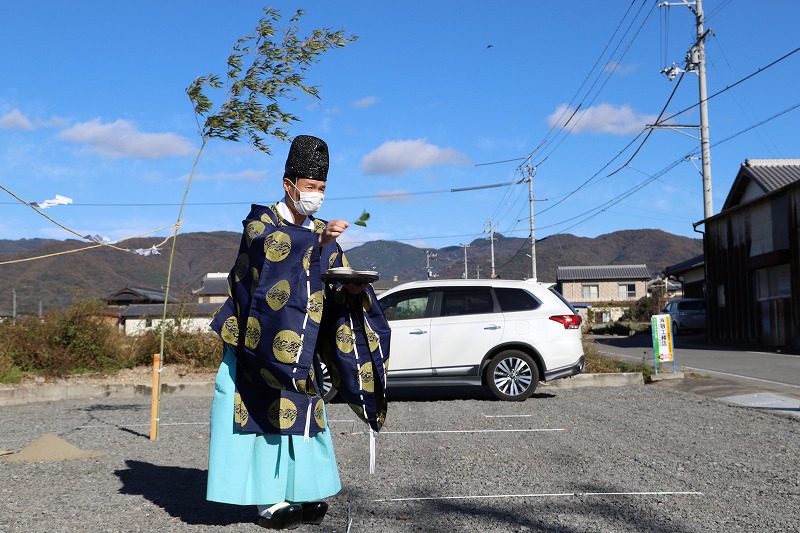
(181, 492)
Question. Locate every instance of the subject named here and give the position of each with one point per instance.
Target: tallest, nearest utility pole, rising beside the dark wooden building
(696, 62)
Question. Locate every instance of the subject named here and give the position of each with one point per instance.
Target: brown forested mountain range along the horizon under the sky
(51, 275)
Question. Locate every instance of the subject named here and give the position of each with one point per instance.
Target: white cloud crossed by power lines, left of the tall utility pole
(603, 118)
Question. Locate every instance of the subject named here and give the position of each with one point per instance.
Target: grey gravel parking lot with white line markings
(639, 458)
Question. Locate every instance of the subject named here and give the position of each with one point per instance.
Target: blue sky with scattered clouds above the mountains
(433, 96)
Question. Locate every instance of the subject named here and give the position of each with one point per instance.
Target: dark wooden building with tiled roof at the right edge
(752, 257)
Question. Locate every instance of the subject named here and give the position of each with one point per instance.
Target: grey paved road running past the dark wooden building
(741, 369)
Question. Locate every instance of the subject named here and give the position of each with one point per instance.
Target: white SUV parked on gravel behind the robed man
(505, 334)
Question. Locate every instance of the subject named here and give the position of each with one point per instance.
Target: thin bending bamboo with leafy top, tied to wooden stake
(265, 68)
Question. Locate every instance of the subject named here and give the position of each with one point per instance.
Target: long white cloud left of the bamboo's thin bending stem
(120, 139)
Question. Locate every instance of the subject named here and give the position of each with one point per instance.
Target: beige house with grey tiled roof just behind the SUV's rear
(608, 289)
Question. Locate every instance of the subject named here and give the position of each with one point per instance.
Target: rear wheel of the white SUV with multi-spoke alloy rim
(512, 376)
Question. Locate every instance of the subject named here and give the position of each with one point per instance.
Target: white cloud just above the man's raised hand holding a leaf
(396, 157)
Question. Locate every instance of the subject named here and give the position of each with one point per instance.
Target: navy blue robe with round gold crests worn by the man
(280, 313)
